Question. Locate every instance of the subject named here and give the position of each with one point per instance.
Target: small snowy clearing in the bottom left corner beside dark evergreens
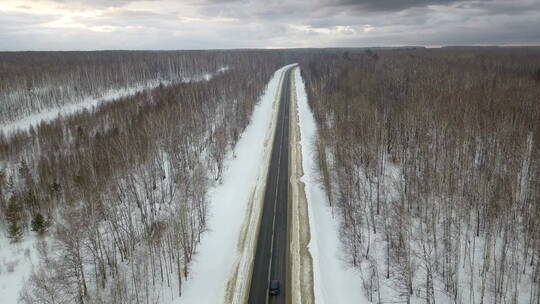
(16, 263)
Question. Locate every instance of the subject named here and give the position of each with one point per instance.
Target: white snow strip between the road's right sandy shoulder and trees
(334, 281)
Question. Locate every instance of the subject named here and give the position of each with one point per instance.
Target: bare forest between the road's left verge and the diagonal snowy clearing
(120, 191)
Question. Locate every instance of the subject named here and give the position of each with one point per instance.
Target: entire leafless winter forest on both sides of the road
(430, 160)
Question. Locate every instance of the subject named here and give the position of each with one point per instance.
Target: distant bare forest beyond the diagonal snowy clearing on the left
(31, 82)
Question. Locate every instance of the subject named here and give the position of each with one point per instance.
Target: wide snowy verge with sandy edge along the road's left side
(228, 247)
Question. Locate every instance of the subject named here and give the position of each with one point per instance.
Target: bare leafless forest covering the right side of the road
(431, 159)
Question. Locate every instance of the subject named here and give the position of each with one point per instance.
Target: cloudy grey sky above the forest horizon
(211, 24)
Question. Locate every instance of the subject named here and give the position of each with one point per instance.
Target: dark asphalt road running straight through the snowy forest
(271, 258)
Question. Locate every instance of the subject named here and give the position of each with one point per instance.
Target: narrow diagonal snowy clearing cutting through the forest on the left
(35, 119)
